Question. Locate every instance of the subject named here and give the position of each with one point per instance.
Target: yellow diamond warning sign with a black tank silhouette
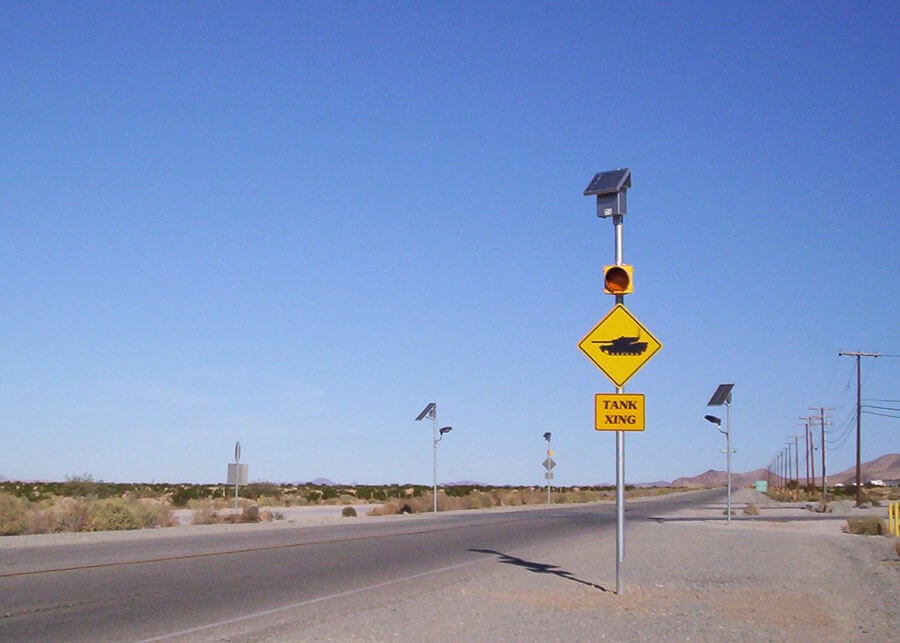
(619, 345)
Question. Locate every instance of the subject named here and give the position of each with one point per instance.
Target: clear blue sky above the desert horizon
(294, 224)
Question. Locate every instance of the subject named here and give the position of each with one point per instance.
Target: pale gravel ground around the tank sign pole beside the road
(687, 577)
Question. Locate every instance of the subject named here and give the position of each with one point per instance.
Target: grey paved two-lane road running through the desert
(139, 589)
